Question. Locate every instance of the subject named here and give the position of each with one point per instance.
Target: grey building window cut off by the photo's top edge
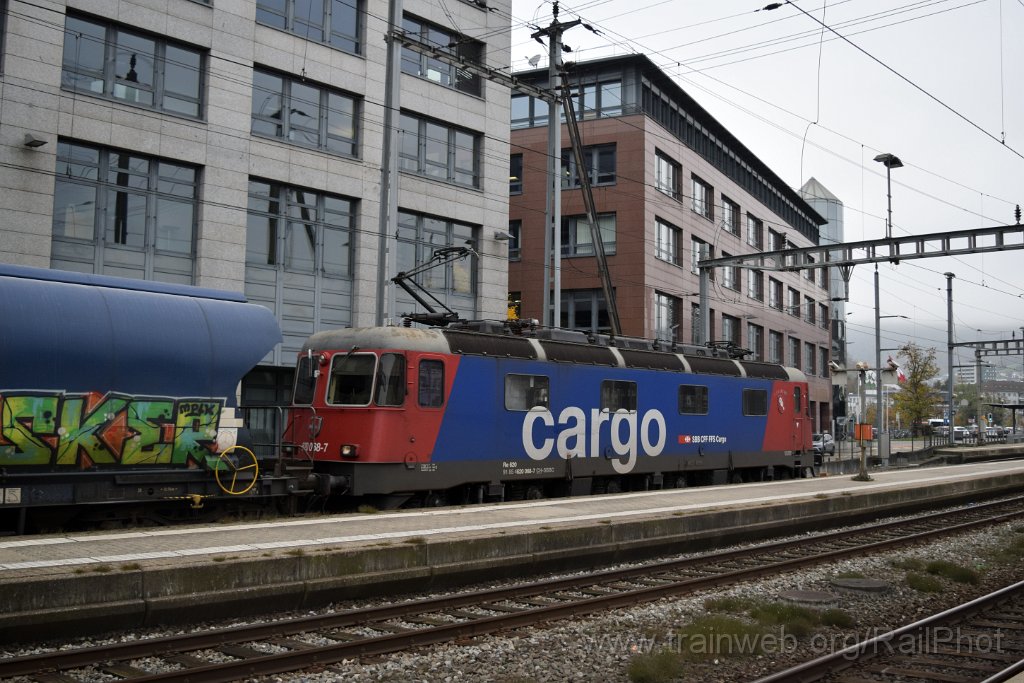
(333, 22)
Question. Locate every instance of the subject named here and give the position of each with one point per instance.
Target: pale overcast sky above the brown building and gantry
(938, 83)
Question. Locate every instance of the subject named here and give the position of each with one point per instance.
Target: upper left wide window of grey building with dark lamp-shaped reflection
(131, 67)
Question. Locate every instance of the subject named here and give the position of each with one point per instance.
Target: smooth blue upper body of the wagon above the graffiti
(76, 332)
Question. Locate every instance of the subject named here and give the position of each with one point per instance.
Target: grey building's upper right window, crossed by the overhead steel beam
(433, 69)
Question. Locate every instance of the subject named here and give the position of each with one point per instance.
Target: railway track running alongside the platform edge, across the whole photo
(316, 643)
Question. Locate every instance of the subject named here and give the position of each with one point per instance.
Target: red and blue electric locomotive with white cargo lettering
(478, 412)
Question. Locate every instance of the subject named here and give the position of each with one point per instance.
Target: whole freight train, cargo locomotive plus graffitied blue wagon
(119, 395)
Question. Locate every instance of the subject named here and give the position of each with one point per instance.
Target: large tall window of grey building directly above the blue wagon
(124, 215)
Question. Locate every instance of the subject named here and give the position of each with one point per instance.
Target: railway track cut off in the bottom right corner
(982, 642)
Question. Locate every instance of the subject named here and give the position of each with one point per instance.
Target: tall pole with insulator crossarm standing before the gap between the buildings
(553, 211)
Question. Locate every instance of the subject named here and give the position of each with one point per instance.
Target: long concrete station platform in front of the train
(63, 585)
